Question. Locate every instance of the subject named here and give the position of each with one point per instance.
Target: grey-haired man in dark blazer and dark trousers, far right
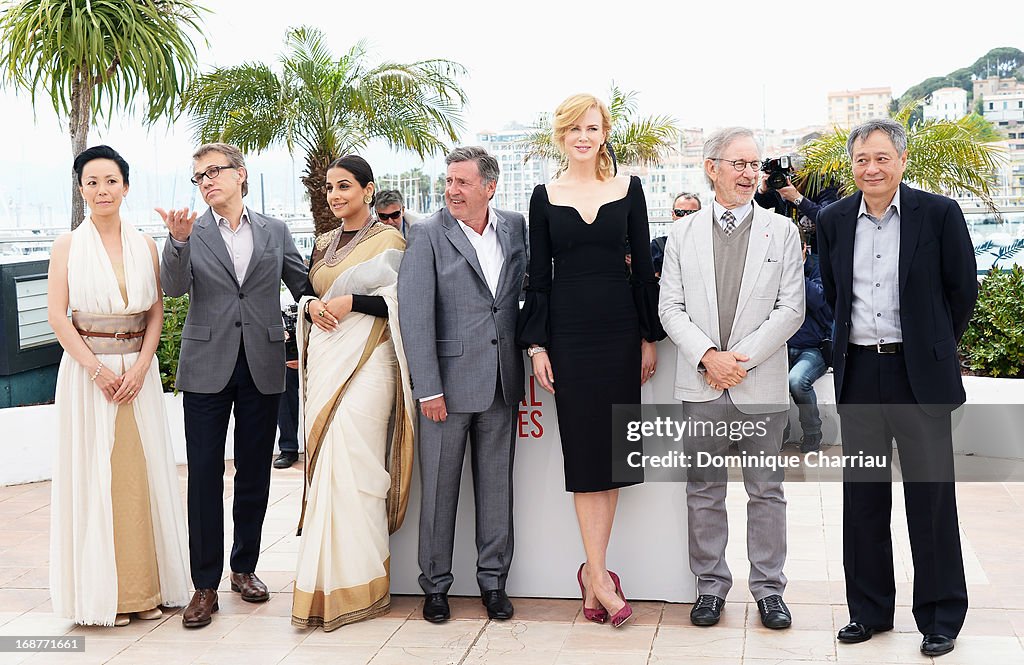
(899, 269)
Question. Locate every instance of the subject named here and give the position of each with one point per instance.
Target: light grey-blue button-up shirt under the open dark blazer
(875, 309)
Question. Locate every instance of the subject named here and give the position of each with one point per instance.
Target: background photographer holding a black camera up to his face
(780, 194)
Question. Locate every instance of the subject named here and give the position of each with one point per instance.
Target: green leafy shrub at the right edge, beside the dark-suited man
(994, 344)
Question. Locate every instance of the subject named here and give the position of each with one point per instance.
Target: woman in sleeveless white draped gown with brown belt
(117, 528)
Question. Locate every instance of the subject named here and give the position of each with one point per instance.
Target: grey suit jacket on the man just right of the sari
(456, 334)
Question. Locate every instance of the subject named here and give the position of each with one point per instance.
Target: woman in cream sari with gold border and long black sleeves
(358, 411)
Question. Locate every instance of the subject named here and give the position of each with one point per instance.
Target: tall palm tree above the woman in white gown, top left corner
(93, 58)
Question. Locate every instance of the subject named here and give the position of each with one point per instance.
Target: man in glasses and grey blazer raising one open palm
(231, 262)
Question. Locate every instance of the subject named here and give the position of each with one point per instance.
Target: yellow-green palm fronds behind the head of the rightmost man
(946, 156)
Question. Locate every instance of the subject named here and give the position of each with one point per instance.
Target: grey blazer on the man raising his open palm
(222, 313)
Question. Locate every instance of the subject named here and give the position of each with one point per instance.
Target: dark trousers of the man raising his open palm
(206, 429)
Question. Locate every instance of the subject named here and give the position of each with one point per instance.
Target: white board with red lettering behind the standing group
(649, 542)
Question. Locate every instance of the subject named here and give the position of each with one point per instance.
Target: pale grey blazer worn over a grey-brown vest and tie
(771, 308)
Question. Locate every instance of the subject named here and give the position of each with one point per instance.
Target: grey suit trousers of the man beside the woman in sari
(443, 448)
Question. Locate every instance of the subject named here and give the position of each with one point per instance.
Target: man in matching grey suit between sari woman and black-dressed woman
(459, 289)
